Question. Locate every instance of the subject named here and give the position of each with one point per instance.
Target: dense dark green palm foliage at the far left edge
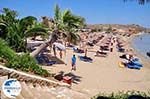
(16, 31)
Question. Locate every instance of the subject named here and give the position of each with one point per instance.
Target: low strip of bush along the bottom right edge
(123, 95)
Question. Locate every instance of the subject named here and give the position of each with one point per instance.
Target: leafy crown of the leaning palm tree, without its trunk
(67, 23)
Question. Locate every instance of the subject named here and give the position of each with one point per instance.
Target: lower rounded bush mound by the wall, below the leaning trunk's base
(28, 64)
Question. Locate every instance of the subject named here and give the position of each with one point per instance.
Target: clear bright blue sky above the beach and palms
(94, 11)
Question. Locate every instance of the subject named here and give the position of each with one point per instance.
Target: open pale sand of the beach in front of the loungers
(104, 74)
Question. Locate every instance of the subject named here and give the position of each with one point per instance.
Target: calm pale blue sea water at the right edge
(142, 44)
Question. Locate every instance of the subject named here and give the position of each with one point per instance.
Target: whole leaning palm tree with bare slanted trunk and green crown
(65, 25)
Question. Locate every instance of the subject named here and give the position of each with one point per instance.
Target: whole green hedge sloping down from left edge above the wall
(22, 62)
